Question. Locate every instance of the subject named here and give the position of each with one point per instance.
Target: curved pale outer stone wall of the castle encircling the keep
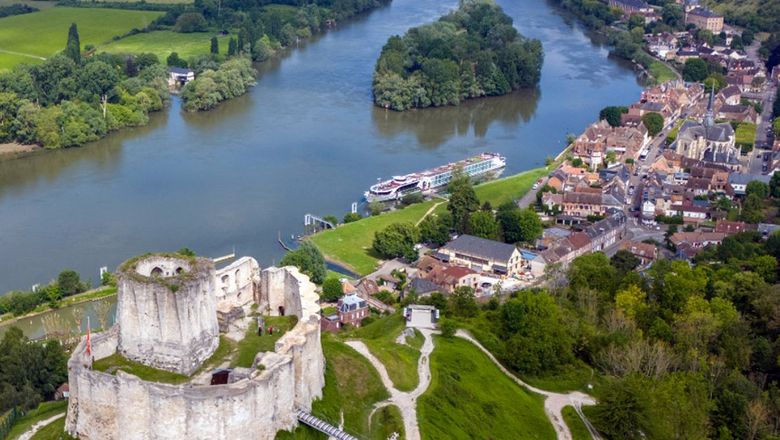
(122, 406)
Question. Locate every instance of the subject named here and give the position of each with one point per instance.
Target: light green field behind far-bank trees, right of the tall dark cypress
(162, 43)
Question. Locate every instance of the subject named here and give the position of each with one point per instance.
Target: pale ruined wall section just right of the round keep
(236, 283)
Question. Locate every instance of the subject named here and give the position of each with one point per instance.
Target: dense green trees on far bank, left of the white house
(68, 101)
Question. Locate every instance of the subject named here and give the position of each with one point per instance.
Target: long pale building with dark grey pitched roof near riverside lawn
(483, 255)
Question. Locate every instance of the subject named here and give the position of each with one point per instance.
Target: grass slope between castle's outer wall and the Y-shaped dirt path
(352, 387)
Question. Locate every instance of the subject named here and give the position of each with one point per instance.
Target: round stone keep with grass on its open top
(167, 310)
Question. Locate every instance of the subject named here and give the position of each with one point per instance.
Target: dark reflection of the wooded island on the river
(434, 126)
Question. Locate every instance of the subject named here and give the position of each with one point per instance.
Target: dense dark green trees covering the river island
(471, 52)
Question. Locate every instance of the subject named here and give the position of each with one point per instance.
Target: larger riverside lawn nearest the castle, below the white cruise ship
(350, 244)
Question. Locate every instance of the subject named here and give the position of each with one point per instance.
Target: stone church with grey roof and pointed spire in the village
(708, 141)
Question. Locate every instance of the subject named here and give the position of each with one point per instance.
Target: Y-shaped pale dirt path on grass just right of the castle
(406, 402)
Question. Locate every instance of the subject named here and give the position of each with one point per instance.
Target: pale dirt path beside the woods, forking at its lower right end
(553, 402)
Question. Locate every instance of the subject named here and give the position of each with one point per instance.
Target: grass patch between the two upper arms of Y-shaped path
(399, 360)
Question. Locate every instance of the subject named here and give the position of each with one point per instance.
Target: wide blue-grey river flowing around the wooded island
(306, 139)
